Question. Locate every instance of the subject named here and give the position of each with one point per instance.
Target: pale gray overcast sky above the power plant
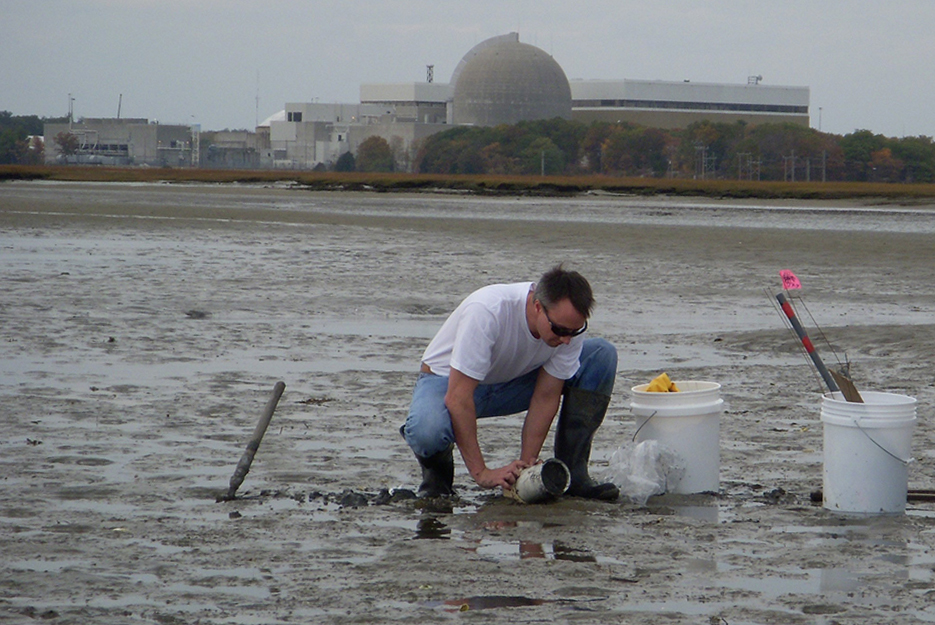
(868, 63)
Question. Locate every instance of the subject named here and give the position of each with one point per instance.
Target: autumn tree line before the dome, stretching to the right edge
(703, 150)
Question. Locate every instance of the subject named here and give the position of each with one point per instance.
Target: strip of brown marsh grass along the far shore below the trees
(548, 186)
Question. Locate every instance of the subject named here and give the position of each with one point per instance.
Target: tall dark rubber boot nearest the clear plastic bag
(582, 413)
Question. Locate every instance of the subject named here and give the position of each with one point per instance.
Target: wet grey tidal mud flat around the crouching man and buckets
(143, 327)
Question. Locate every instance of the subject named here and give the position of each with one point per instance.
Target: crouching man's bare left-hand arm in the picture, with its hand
(460, 403)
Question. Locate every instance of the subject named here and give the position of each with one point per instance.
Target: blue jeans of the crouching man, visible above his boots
(428, 428)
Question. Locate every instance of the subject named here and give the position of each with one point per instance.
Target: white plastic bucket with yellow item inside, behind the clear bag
(688, 422)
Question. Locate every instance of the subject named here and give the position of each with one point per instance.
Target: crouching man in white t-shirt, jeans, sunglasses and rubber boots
(509, 348)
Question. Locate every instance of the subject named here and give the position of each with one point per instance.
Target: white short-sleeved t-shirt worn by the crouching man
(487, 338)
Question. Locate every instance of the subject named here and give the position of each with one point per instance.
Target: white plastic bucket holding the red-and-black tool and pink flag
(867, 450)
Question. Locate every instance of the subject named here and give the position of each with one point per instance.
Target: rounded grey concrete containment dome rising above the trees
(503, 81)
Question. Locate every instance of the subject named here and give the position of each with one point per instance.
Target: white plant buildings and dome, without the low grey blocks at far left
(503, 81)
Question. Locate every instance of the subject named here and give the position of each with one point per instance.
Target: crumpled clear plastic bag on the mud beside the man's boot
(641, 470)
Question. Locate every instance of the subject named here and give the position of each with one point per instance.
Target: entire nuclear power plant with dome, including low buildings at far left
(499, 81)
